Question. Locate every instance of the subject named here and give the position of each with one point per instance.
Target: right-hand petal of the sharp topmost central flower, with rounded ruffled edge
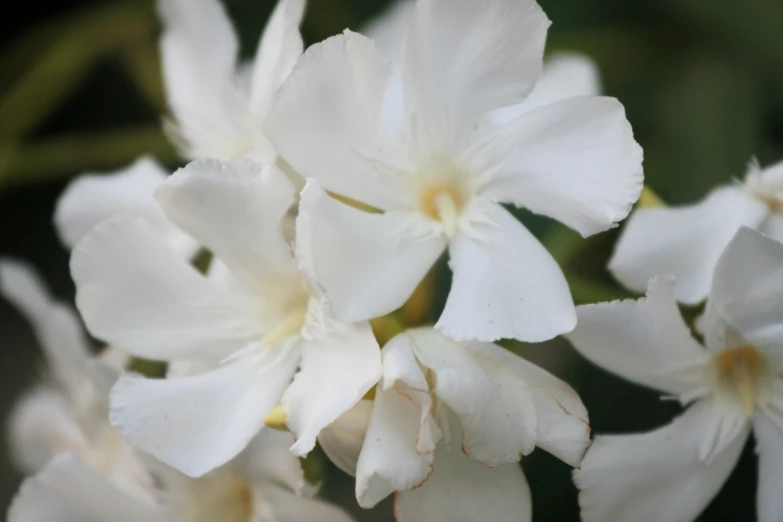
(574, 160)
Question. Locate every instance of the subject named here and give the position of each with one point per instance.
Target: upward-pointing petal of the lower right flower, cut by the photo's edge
(747, 291)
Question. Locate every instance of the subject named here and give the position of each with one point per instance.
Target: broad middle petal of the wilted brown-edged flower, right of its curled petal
(494, 406)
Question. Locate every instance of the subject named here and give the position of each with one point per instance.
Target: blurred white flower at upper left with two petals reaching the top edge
(219, 106)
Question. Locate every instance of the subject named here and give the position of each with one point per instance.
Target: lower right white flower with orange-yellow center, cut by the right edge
(734, 382)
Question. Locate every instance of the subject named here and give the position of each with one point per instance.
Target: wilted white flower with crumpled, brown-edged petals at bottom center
(449, 424)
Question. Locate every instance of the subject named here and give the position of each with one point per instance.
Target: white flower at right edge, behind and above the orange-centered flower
(686, 241)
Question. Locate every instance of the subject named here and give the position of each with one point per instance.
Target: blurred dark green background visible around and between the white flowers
(702, 82)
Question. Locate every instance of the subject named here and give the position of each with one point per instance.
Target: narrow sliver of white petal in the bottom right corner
(769, 447)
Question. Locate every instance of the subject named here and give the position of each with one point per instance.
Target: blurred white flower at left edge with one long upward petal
(68, 412)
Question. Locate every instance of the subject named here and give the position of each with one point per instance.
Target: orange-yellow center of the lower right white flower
(745, 372)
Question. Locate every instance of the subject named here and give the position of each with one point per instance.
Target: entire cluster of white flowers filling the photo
(322, 187)
